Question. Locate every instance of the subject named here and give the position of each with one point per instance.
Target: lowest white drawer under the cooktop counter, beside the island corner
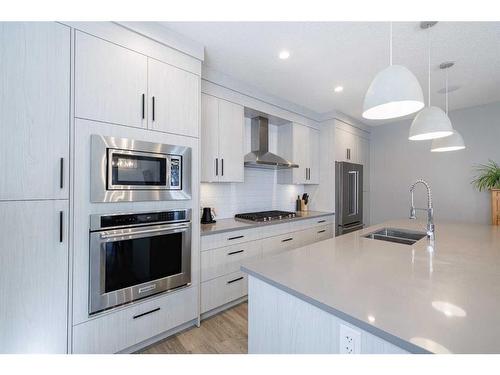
(224, 289)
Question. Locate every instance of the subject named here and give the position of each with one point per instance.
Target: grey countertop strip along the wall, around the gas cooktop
(230, 224)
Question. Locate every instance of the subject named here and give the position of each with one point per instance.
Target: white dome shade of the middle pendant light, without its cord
(430, 123)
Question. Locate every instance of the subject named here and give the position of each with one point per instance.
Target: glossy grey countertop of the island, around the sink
(441, 298)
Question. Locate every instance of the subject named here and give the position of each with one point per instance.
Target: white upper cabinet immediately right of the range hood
(300, 145)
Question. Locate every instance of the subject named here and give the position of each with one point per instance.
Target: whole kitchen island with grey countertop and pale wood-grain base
(429, 297)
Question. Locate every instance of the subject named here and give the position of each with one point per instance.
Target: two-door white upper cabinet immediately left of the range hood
(222, 140)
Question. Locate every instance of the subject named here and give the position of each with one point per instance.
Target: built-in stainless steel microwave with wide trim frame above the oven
(129, 170)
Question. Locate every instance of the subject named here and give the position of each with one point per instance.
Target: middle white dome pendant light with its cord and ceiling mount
(431, 122)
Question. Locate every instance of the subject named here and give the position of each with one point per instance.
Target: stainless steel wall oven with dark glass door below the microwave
(136, 255)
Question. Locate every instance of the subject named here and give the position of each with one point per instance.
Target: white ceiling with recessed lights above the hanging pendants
(326, 54)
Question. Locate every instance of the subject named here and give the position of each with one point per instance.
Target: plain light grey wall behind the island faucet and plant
(397, 162)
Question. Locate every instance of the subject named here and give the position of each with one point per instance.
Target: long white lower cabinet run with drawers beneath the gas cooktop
(222, 255)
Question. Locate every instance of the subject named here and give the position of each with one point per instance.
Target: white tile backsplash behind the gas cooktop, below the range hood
(259, 192)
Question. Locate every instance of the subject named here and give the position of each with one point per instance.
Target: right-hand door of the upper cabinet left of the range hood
(231, 145)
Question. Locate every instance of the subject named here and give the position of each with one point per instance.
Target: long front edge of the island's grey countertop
(399, 342)
